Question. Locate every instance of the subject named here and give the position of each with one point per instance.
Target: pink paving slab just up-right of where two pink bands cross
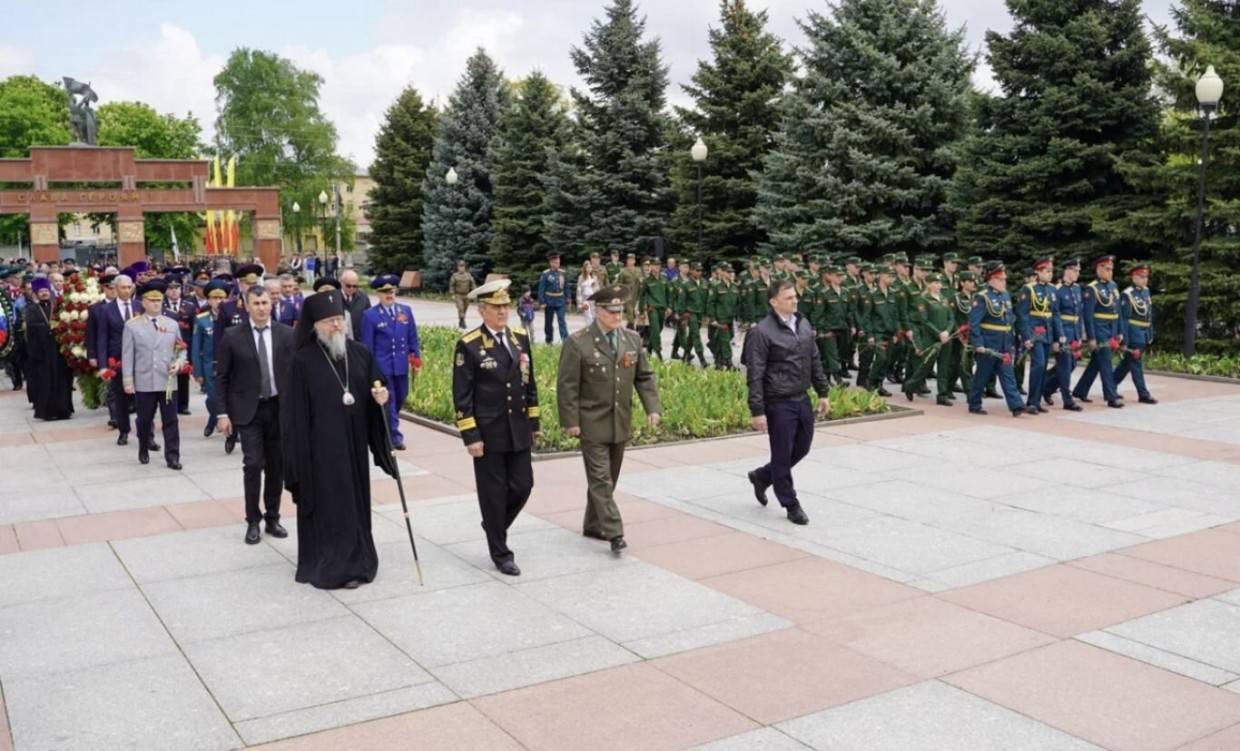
(1063, 600)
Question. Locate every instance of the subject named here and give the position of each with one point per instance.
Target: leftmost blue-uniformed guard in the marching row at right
(991, 336)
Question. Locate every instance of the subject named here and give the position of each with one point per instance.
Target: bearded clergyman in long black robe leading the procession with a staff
(333, 422)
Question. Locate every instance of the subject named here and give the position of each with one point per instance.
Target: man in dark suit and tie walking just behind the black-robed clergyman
(252, 369)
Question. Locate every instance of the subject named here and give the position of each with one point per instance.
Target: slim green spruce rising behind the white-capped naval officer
(533, 130)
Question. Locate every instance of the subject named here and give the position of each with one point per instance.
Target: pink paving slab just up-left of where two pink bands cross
(813, 589)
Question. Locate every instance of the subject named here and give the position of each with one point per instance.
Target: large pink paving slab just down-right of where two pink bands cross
(1104, 698)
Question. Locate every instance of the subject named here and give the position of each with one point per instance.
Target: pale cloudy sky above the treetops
(366, 50)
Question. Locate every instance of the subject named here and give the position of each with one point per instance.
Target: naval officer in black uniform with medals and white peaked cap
(497, 402)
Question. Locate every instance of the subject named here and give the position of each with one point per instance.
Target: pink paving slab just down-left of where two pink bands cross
(783, 675)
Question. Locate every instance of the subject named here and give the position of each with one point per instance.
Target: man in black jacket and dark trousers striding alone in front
(782, 361)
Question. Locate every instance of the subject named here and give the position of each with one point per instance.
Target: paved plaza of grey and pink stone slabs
(1066, 582)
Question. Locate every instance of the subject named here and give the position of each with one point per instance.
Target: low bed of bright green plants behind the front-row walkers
(697, 403)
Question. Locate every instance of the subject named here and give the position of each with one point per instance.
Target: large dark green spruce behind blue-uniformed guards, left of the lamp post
(1074, 100)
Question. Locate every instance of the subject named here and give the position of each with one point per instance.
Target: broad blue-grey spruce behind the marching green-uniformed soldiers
(870, 136)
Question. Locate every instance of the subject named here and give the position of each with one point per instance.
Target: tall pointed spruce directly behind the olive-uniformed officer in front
(613, 178)
